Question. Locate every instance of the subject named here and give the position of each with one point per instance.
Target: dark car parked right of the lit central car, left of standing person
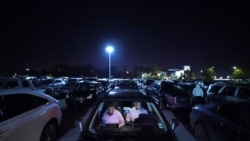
(169, 94)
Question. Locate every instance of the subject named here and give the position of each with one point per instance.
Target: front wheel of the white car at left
(49, 132)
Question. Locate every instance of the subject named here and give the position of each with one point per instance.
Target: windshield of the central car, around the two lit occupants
(157, 123)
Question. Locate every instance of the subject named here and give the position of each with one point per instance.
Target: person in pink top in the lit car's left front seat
(112, 116)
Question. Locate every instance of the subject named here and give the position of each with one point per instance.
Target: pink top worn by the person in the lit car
(115, 118)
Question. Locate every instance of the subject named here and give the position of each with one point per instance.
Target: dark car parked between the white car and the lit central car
(87, 92)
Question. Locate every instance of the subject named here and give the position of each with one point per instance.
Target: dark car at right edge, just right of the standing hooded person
(231, 92)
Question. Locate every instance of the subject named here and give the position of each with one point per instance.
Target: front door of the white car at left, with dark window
(25, 118)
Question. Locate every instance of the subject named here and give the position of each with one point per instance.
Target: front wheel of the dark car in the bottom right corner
(200, 132)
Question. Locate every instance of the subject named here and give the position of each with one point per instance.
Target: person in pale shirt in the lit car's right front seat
(135, 111)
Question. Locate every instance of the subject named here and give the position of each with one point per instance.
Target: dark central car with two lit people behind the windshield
(158, 128)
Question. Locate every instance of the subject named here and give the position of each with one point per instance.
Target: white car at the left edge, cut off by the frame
(28, 115)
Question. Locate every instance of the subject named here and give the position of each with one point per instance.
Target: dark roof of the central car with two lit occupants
(126, 95)
